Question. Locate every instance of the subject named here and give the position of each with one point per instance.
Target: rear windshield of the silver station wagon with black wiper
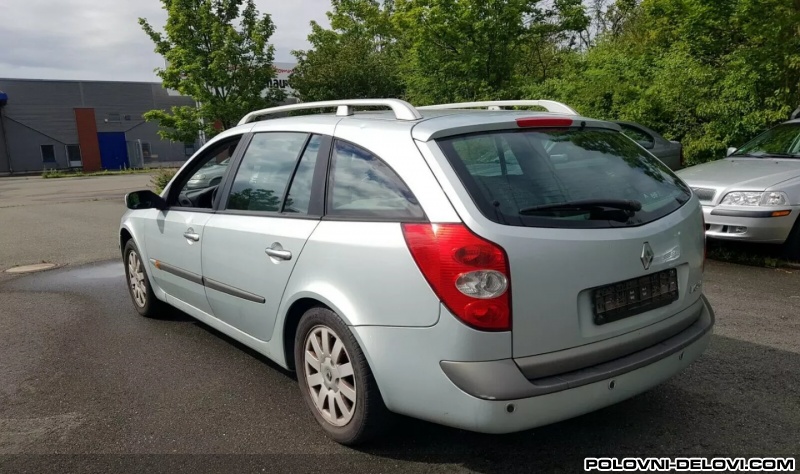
(564, 178)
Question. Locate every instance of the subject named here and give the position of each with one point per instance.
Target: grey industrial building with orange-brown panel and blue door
(89, 125)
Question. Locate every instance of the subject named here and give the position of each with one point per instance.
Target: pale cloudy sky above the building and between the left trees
(101, 39)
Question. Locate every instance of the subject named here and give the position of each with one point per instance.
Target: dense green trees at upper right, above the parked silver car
(710, 73)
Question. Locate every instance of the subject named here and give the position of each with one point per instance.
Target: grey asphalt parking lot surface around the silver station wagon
(86, 385)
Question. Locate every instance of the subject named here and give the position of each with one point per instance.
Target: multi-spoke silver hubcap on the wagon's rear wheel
(329, 375)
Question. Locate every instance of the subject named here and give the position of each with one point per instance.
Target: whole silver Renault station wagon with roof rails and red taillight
(487, 269)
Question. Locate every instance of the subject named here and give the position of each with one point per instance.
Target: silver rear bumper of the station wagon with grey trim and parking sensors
(495, 397)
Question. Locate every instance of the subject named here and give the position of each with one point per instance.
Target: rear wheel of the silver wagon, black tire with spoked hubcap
(325, 378)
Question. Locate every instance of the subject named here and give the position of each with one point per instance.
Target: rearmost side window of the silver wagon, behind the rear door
(363, 186)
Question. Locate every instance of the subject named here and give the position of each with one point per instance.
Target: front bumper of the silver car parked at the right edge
(722, 223)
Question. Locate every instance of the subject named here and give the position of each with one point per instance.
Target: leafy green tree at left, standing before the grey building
(218, 53)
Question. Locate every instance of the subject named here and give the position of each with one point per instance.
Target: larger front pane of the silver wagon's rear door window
(265, 171)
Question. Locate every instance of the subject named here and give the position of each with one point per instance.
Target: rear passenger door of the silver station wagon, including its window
(267, 213)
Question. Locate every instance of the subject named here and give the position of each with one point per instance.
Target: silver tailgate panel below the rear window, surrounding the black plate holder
(554, 273)
